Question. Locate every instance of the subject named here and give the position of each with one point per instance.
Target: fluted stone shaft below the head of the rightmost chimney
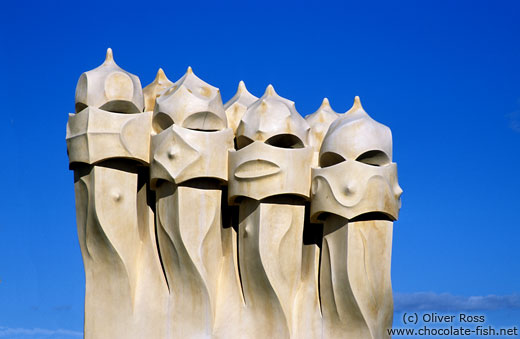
(356, 291)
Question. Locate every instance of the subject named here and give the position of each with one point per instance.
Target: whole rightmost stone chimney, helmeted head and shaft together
(355, 192)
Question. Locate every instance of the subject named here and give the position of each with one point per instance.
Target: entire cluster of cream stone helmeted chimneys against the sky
(199, 219)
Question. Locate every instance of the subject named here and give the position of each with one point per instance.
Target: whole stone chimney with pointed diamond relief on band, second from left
(187, 169)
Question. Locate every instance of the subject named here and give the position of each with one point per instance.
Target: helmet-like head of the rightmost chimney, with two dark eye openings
(356, 175)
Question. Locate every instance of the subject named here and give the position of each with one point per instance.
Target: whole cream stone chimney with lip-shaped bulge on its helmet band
(269, 177)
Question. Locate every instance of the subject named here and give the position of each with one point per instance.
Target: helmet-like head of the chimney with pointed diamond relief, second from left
(190, 136)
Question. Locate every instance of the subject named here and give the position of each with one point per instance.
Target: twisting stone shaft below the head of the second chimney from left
(189, 231)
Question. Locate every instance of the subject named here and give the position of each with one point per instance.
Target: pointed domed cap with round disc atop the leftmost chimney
(110, 88)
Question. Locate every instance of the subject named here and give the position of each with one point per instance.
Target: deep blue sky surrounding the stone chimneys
(444, 76)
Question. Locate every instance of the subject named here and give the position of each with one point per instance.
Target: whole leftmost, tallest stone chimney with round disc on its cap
(108, 141)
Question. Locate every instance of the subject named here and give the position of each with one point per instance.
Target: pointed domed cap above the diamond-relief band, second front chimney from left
(190, 103)
